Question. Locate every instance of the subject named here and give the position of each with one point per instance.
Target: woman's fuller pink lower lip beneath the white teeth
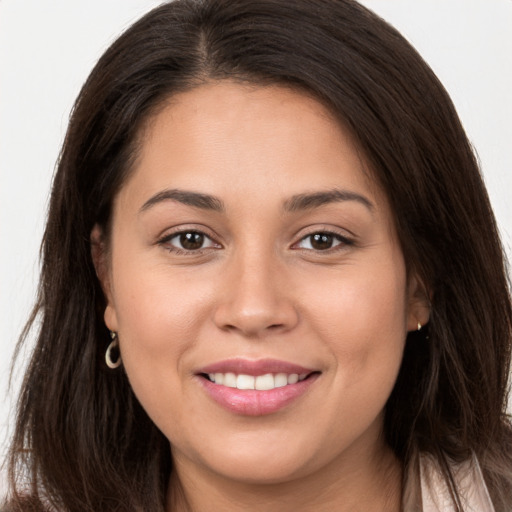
(251, 402)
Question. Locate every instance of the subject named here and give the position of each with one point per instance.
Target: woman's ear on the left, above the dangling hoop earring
(101, 260)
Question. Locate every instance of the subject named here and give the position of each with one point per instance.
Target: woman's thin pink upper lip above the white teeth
(254, 367)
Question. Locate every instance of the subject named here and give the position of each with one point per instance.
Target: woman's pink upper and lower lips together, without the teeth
(253, 402)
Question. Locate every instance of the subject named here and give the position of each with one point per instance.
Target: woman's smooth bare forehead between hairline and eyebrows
(223, 137)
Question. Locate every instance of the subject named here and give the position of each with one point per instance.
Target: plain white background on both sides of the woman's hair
(47, 49)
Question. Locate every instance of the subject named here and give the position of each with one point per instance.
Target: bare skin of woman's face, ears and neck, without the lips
(257, 289)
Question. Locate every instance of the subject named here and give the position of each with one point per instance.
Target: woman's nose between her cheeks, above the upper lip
(256, 297)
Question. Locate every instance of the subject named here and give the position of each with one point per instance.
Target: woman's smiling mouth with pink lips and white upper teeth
(256, 388)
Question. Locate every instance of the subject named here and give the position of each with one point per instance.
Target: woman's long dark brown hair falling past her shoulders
(82, 440)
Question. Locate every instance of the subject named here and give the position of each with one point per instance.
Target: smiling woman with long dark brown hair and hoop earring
(271, 278)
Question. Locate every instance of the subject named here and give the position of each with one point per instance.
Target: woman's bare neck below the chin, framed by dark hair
(369, 482)
